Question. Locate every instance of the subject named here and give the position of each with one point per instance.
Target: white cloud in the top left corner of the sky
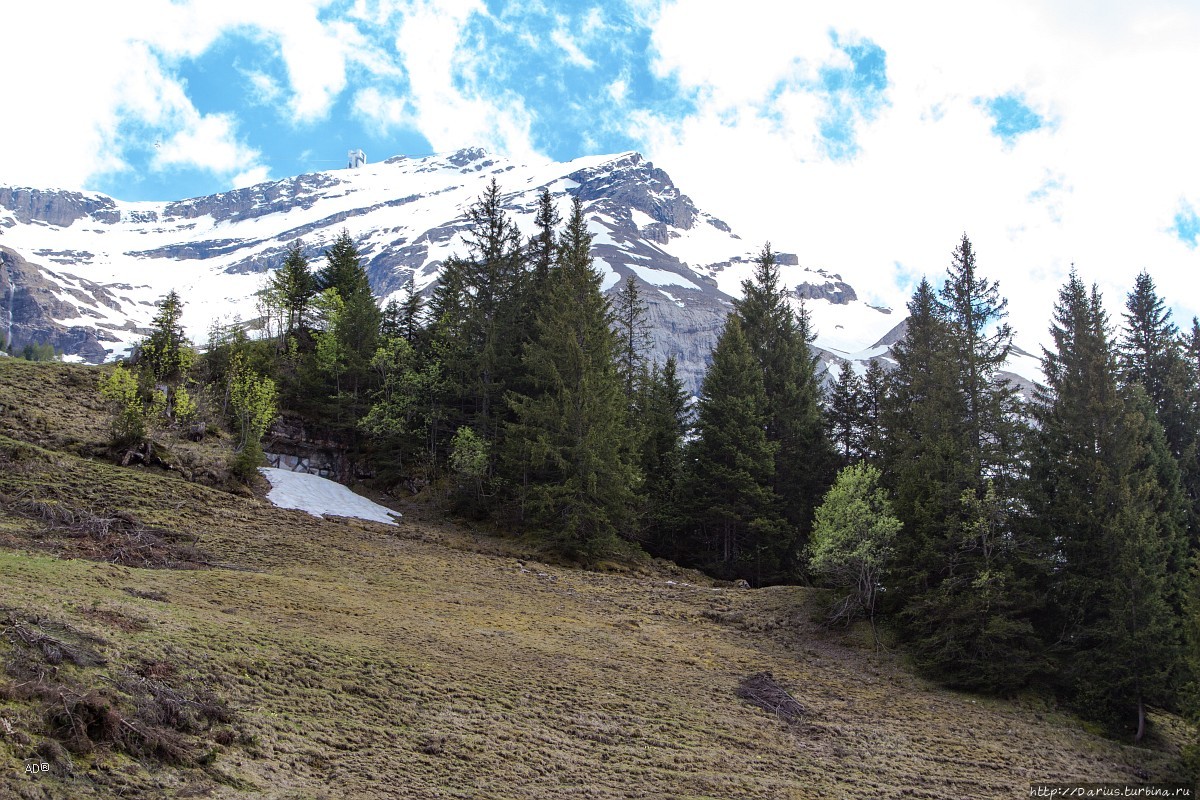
(106, 87)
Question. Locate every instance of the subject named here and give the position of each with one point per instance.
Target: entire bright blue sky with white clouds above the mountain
(862, 136)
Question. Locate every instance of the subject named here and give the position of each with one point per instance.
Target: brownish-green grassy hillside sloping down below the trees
(163, 639)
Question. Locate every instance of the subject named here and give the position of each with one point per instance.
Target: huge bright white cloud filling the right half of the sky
(1099, 188)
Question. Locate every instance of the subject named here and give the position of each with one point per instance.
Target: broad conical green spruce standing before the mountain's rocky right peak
(574, 428)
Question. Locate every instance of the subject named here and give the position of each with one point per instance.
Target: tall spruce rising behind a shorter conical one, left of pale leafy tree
(805, 460)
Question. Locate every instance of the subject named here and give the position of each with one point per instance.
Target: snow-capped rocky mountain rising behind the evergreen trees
(83, 272)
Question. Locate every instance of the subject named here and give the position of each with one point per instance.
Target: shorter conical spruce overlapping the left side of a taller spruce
(734, 514)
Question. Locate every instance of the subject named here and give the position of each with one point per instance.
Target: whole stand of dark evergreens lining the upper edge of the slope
(1007, 542)
